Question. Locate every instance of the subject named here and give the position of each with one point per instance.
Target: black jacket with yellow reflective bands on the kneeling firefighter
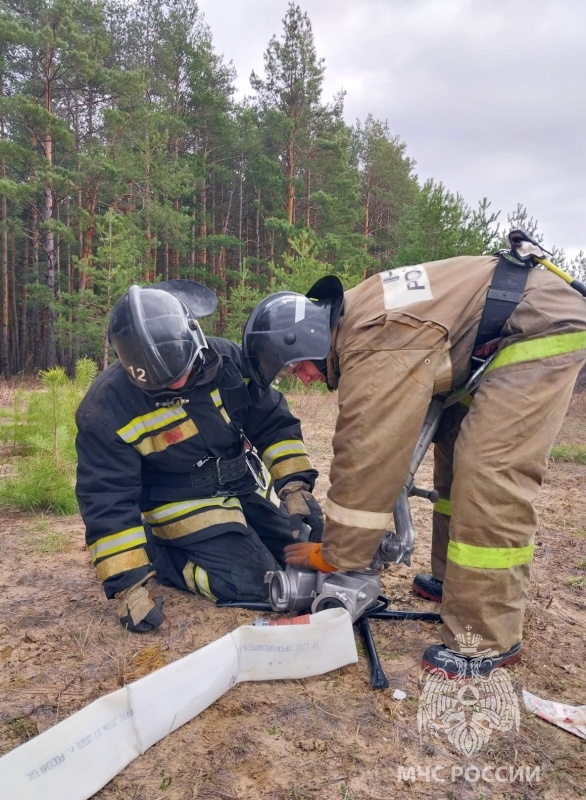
(154, 456)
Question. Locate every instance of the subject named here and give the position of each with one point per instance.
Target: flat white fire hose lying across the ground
(77, 757)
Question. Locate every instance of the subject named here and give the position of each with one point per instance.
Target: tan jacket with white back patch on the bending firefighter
(406, 335)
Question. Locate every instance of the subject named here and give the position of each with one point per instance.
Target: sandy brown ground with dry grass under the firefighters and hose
(327, 738)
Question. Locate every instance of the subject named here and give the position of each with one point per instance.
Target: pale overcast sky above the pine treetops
(488, 95)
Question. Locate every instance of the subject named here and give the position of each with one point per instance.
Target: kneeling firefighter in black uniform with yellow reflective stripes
(183, 462)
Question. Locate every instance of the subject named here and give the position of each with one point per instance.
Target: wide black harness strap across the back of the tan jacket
(503, 296)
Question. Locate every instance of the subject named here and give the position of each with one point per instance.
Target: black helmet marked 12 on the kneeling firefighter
(155, 332)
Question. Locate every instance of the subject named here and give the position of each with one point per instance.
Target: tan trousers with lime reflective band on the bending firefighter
(490, 460)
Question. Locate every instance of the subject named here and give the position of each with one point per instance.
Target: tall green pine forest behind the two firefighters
(126, 157)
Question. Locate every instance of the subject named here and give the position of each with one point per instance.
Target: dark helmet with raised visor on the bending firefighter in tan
(287, 327)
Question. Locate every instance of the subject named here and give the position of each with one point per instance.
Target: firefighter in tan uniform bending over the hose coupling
(398, 339)
